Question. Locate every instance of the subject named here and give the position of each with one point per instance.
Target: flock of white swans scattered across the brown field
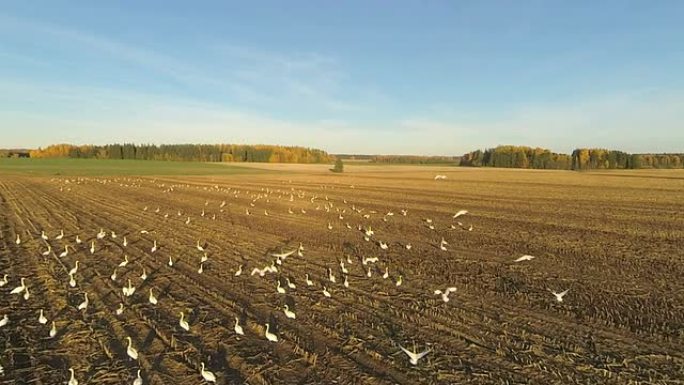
(128, 289)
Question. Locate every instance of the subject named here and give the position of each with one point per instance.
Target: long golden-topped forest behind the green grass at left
(187, 152)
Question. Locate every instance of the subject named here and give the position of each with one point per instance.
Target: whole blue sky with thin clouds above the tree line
(371, 77)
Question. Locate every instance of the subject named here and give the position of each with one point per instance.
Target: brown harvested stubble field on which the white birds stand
(613, 239)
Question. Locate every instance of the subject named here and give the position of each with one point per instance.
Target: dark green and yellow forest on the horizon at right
(580, 159)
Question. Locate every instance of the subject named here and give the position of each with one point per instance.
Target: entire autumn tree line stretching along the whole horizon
(501, 156)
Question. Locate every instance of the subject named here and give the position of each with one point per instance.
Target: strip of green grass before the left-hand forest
(107, 167)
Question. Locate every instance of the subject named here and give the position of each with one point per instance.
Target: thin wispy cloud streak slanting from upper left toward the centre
(249, 76)
